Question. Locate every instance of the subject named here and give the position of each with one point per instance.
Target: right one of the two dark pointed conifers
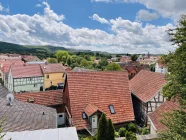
(110, 131)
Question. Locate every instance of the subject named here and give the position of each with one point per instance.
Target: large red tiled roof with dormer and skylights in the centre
(100, 89)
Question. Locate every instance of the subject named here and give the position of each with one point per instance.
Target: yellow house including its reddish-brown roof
(54, 75)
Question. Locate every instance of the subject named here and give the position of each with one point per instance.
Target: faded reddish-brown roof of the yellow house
(52, 68)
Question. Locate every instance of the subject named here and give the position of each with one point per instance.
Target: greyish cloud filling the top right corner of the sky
(166, 8)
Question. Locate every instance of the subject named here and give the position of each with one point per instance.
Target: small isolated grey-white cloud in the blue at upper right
(145, 15)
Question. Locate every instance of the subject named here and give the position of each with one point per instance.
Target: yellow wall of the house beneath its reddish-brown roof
(55, 78)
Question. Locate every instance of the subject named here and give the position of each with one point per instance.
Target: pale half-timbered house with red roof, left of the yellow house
(24, 78)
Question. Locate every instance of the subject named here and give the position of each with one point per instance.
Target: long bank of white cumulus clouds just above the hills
(49, 29)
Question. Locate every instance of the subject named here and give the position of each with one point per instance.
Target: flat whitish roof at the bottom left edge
(67, 133)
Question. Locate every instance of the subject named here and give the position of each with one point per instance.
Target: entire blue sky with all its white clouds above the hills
(134, 26)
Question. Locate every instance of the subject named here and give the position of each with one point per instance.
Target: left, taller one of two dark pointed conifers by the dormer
(102, 128)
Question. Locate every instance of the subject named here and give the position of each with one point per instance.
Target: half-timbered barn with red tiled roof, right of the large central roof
(146, 89)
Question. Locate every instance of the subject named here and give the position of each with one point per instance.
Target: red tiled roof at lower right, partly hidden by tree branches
(156, 116)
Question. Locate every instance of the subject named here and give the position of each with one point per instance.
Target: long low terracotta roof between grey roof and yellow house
(46, 98)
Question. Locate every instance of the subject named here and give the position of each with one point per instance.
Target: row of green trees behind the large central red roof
(84, 60)
